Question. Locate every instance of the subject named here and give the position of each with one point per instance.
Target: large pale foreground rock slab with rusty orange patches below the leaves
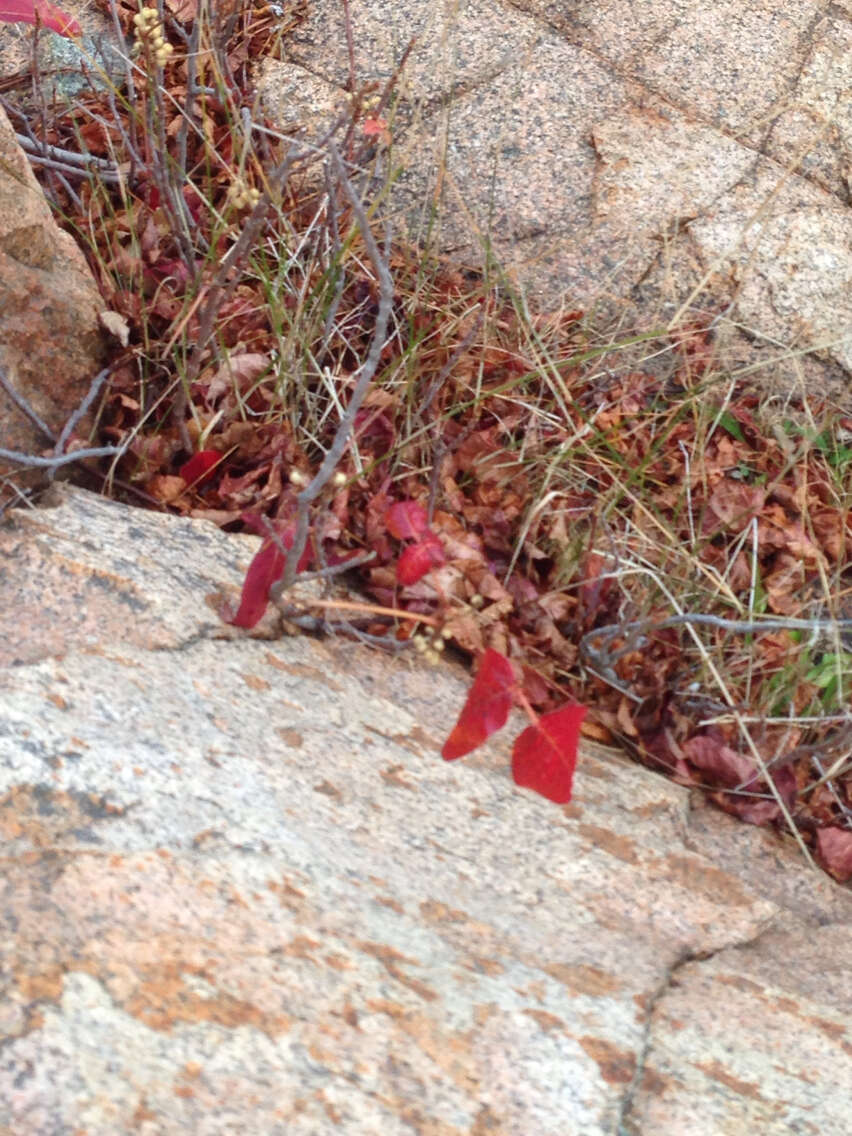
(243, 893)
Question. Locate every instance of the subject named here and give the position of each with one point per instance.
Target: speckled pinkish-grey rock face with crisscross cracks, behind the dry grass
(627, 157)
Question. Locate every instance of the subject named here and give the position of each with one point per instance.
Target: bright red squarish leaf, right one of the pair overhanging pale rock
(546, 755)
